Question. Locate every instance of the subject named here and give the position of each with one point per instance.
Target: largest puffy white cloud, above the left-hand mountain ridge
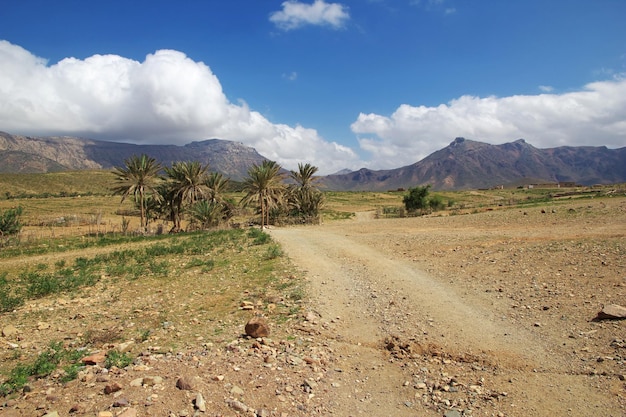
(167, 98)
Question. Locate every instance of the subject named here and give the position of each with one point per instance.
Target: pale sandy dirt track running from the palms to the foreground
(371, 296)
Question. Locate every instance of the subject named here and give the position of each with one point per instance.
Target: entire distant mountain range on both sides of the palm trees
(464, 164)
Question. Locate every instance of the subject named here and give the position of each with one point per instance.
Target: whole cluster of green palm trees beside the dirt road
(189, 188)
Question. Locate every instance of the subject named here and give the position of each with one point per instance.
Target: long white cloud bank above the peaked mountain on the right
(595, 114)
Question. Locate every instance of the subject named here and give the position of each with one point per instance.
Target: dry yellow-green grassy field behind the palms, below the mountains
(81, 203)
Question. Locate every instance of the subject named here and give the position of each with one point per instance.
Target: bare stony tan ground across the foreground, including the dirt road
(484, 313)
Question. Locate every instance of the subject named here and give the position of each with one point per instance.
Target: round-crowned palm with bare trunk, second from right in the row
(264, 185)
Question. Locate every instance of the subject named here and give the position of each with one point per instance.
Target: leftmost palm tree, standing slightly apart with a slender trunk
(138, 177)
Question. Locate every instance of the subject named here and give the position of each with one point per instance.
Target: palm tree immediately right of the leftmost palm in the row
(187, 185)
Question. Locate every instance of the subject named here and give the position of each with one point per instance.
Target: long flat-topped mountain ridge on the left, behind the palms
(46, 154)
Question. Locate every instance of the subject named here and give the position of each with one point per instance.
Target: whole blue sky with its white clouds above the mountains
(340, 84)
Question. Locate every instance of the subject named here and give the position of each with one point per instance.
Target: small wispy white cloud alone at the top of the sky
(296, 14)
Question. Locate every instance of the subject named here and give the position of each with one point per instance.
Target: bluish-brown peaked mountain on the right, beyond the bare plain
(468, 164)
